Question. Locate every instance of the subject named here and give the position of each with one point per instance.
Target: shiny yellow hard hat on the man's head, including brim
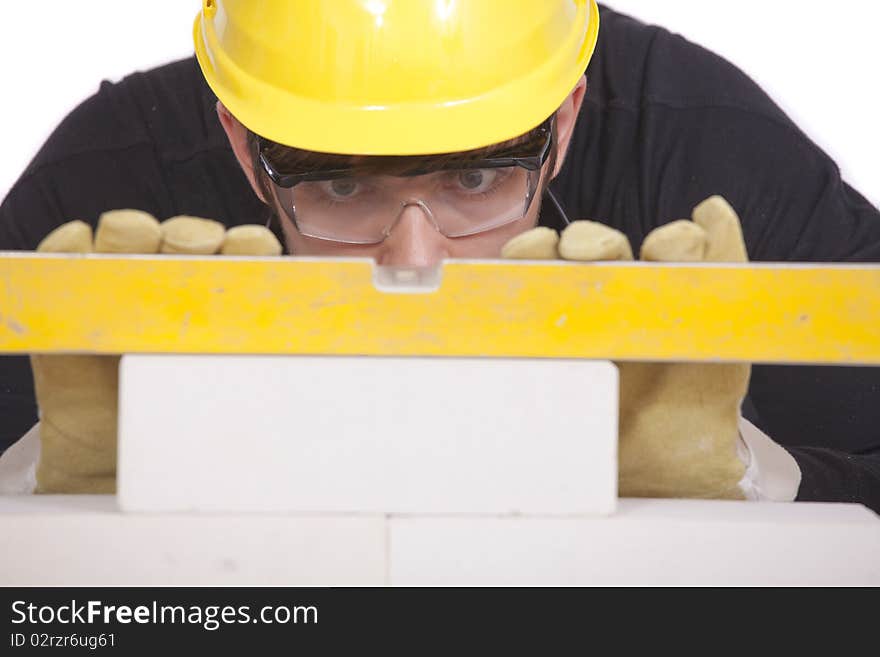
(394, 77)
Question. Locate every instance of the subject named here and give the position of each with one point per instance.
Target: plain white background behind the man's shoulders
(818, 60)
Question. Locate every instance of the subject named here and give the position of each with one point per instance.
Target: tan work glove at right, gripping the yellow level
(678, 429)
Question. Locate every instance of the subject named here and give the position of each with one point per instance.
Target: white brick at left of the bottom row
(86, 541)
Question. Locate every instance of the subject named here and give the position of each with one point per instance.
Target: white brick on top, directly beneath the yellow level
(367, 435)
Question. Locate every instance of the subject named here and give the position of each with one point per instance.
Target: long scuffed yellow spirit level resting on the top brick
(633, 311)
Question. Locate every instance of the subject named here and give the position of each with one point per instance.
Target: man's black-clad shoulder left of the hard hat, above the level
(150, 141)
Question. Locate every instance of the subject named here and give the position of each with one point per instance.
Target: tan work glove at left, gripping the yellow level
(77, 395)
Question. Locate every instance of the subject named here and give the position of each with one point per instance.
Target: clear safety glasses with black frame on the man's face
(359, 200)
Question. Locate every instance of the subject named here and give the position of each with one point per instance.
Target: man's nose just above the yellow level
(414, 240)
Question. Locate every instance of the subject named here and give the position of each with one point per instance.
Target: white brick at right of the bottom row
(648, 542)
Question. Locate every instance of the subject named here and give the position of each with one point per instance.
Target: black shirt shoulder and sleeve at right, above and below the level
(665, 125)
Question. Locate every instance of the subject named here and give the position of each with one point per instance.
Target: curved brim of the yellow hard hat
(402, 128)
